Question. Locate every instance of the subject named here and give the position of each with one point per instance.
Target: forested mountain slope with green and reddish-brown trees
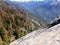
(14, 23)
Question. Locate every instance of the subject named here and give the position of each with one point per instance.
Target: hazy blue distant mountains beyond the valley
(46, 10)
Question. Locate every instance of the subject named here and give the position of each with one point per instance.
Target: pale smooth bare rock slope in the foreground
(45, 36)
